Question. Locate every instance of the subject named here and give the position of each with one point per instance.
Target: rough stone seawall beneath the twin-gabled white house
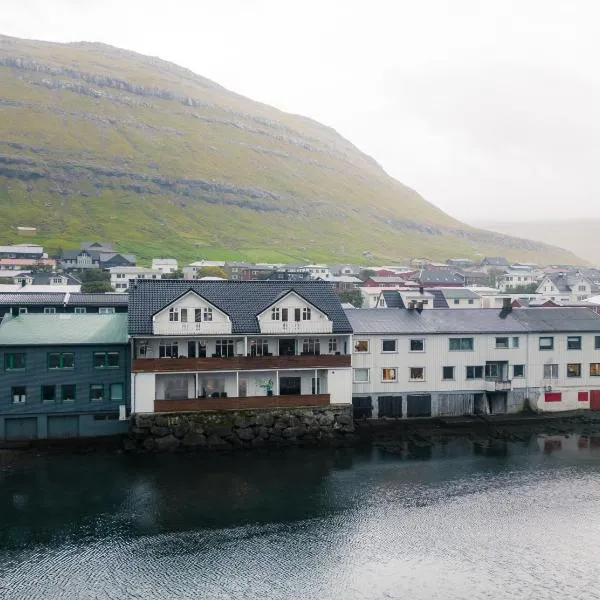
(225, 430)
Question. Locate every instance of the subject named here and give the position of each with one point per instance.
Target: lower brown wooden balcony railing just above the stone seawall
(247, 402)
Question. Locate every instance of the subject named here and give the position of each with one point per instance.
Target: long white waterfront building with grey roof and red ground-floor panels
(408, 363)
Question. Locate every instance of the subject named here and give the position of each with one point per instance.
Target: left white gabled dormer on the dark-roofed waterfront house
(191, 314)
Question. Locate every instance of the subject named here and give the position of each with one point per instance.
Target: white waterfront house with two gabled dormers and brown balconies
(233, 344)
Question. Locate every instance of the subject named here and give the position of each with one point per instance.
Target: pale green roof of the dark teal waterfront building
(62, 329)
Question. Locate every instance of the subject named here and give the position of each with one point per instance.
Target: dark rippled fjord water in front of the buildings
(459, 520)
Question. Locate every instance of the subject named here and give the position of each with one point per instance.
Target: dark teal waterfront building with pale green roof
(63, 375)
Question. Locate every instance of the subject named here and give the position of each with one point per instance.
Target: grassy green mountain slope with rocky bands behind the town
(102, 143)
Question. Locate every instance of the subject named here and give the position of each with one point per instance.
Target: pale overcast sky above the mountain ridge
(489, 108)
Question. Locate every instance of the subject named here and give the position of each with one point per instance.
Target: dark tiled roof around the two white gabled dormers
(241, 300)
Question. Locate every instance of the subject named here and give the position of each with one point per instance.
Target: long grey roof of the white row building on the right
(474, 320)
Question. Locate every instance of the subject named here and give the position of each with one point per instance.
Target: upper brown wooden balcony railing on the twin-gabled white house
(240, 363)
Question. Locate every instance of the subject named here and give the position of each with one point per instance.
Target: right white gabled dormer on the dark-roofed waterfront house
(291, 313)
